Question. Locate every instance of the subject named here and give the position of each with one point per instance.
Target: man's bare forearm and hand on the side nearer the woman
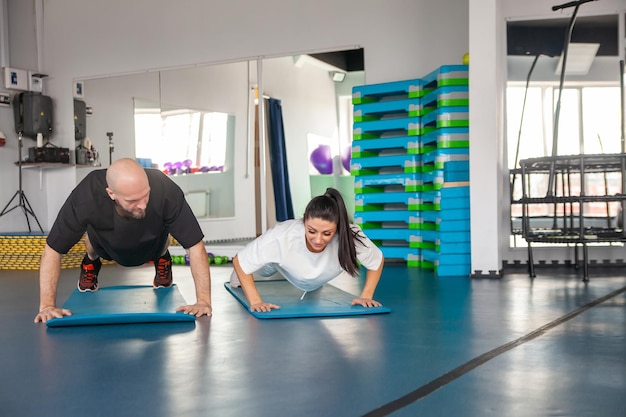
(199, 263)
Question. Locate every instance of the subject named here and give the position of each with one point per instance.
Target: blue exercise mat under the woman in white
(323, 302)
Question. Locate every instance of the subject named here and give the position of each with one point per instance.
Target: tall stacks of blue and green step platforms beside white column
(410, 162)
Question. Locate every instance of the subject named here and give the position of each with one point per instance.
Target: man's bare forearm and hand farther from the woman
(49, 272)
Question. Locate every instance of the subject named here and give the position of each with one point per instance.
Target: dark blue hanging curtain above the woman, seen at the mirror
(278, 160)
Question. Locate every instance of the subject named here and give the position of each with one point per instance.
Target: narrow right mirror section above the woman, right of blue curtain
(316, 105)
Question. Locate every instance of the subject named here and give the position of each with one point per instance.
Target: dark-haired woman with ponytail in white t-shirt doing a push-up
(309, 252)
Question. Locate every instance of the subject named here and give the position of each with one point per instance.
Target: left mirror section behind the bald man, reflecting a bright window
(181, 121)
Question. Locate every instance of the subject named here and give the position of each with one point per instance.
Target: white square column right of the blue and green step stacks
(487, 52)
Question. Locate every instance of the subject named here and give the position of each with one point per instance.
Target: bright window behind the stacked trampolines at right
(589, 123)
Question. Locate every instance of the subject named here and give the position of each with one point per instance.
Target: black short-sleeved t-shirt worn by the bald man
(129, 242)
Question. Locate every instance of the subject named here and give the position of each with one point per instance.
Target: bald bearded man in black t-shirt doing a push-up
(128, 214)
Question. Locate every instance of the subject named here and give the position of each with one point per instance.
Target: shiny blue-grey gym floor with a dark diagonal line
(552, 346)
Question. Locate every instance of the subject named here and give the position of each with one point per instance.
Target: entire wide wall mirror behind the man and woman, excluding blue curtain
(202, 127)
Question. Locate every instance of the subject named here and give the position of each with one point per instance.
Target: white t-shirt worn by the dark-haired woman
(283, 249)
